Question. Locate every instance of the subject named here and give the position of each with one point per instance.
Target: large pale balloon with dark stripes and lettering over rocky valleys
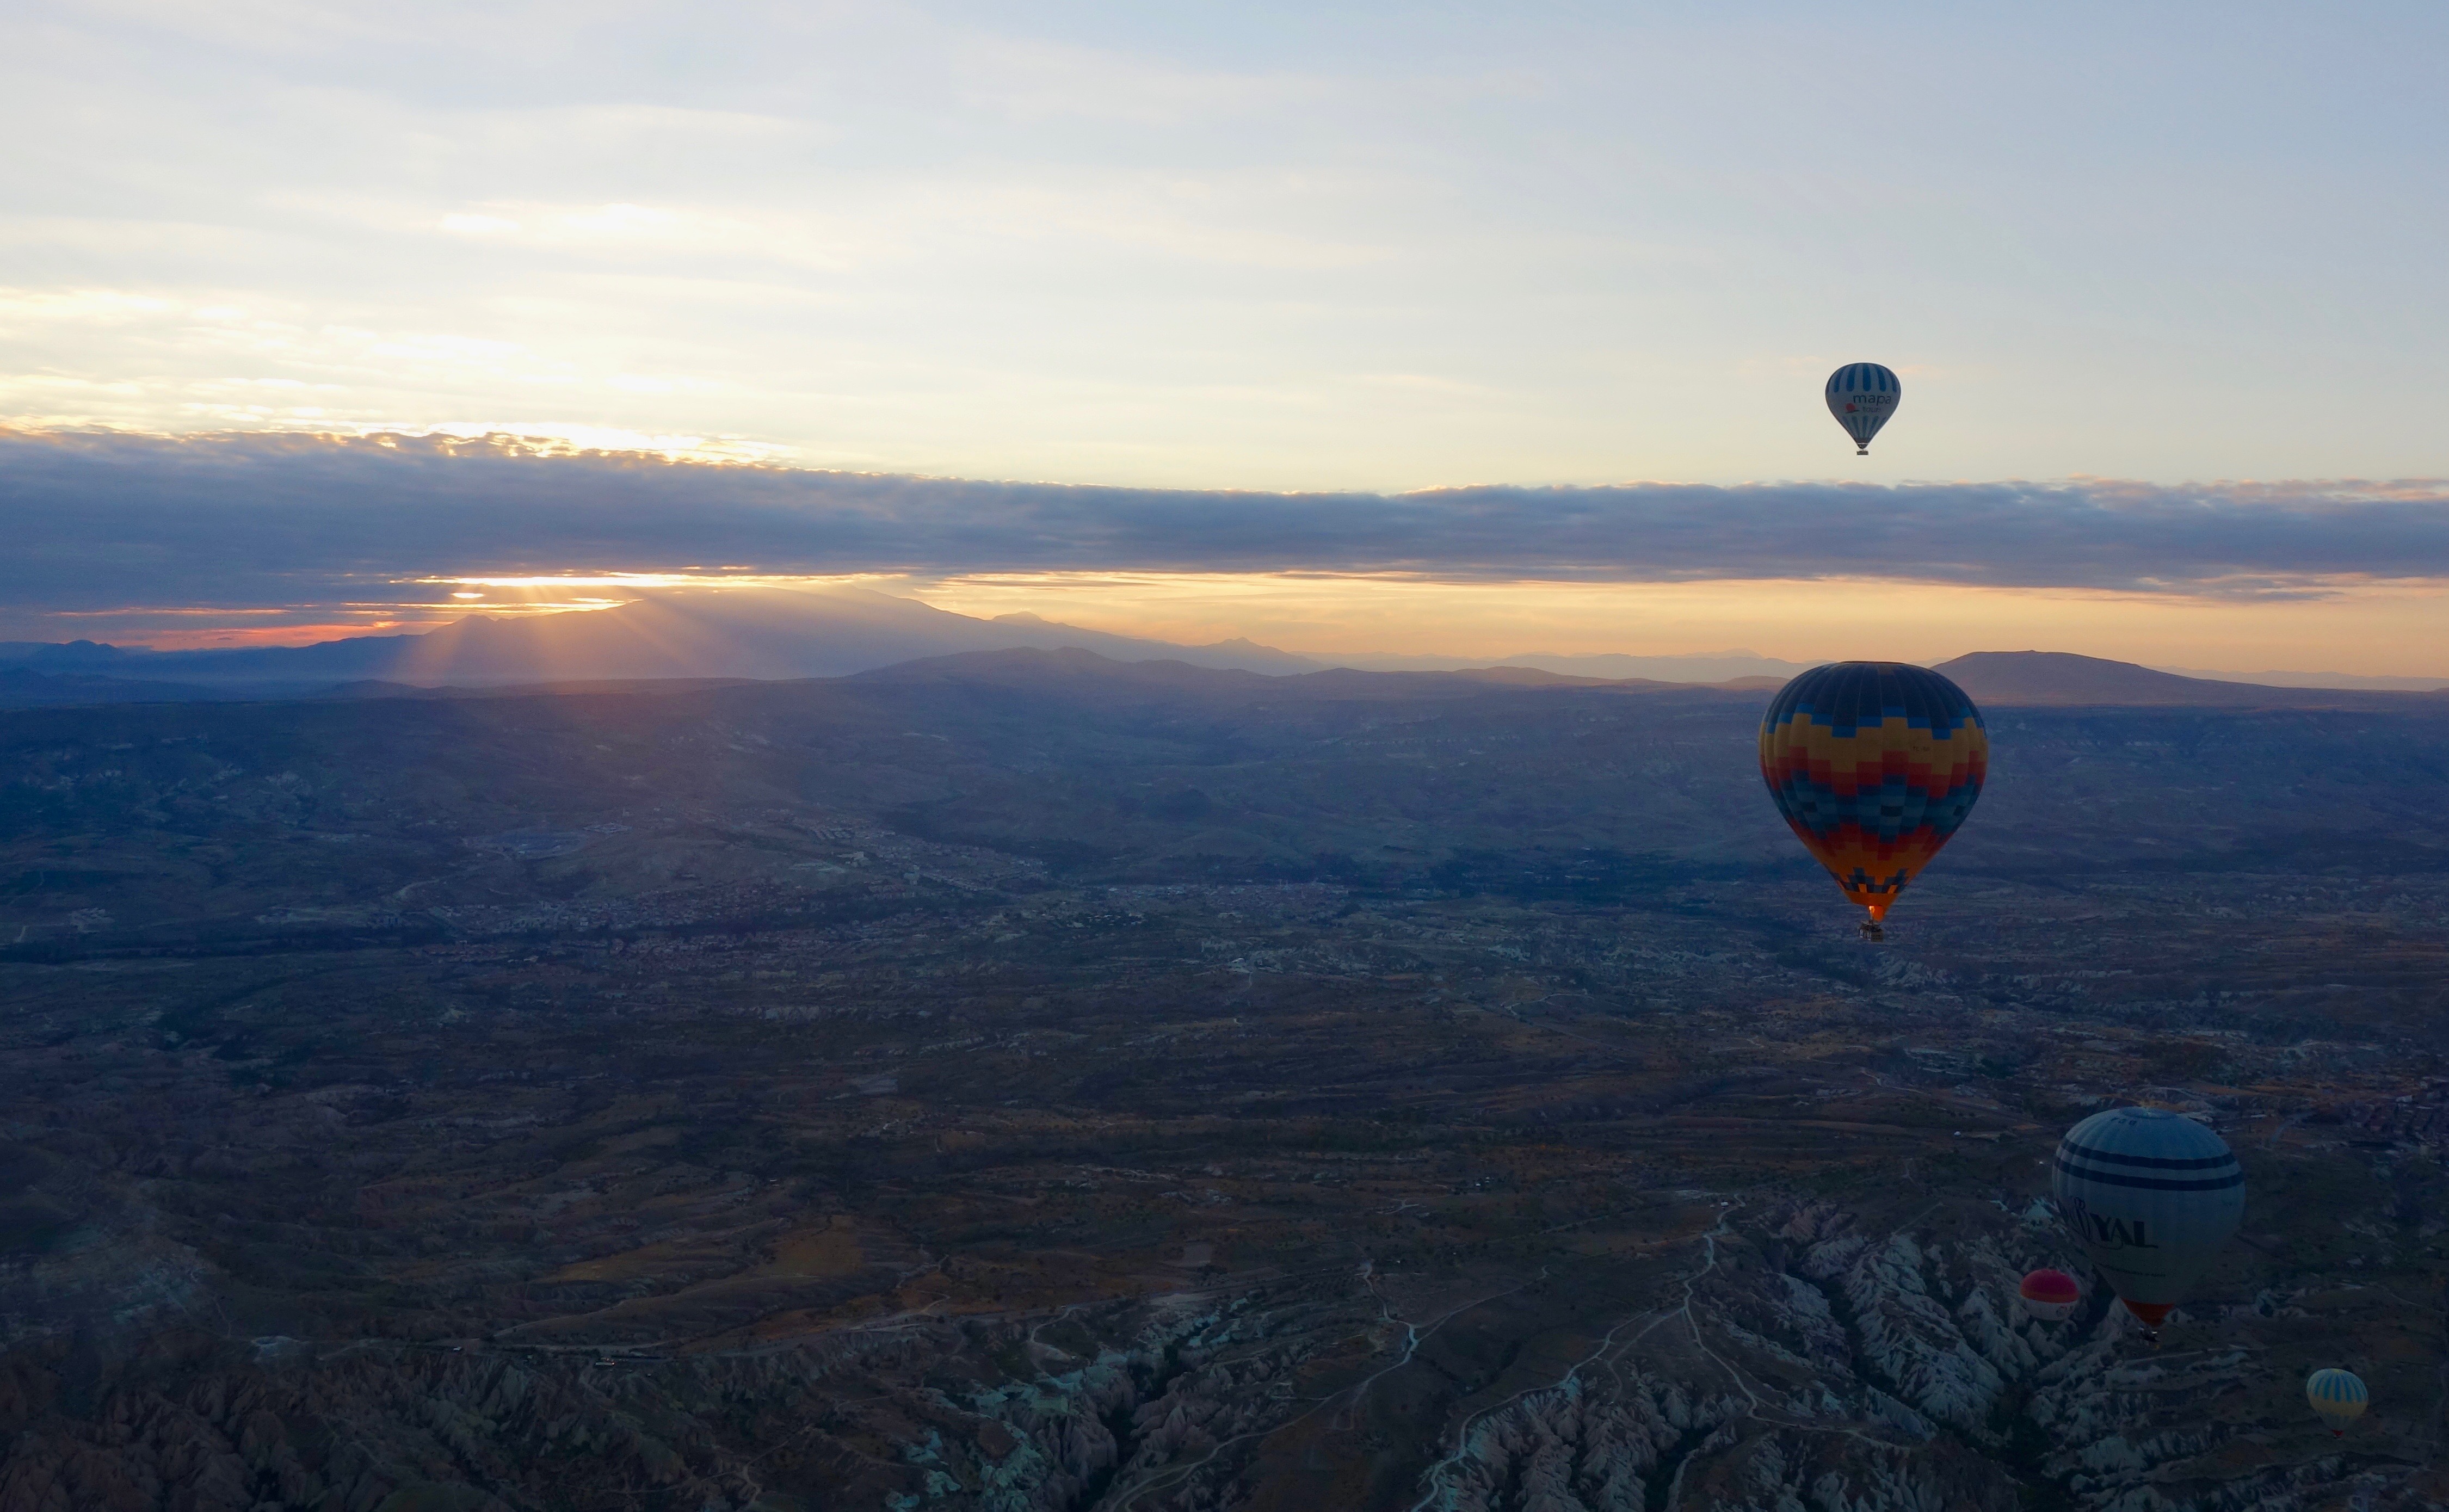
(2151, 1197)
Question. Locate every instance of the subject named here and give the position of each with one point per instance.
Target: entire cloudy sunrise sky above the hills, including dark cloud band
(1265, 261)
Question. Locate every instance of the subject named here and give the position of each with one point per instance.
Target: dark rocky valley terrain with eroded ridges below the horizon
(1042, 1084)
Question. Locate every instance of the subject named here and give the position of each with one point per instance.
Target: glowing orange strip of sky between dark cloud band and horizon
(2338, 626)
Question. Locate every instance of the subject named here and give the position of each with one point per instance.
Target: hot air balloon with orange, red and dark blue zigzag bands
(1875, 766)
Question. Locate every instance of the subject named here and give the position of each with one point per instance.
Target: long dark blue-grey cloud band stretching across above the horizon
(104, 521)
